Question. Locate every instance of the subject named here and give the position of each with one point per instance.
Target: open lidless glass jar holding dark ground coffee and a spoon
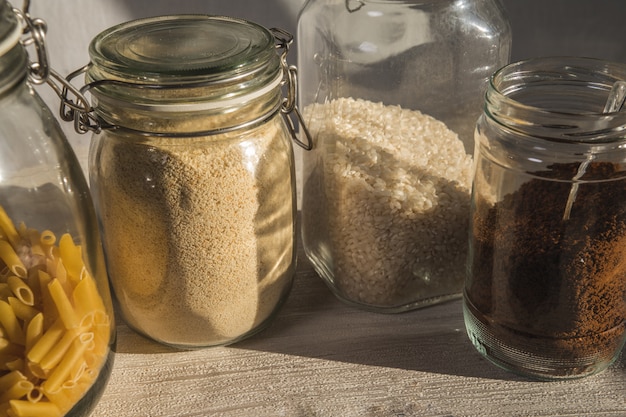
(545, 294)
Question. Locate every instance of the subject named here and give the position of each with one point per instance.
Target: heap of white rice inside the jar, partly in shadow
(385, 203)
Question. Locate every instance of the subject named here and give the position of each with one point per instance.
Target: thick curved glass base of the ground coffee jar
(539, 357)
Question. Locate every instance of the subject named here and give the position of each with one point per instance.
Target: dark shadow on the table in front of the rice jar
(314, 324)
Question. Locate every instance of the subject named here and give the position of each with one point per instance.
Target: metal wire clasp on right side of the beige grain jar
(290, 80)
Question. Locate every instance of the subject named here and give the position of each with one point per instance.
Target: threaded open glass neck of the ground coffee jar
(559, 99)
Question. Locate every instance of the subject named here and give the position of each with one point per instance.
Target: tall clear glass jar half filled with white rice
(391, 91)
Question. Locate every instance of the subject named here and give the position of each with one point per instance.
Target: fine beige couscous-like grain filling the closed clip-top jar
(198, 231)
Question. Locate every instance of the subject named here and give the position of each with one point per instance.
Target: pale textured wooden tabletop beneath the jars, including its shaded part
(322, 358)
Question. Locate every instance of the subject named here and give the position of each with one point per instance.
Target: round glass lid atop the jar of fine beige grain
(182, 49)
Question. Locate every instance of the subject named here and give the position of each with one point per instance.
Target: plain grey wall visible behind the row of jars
(592, 28)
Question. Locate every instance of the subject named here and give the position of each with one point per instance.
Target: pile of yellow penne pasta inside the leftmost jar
(55, 332)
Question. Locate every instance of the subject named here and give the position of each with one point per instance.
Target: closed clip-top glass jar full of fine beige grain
(193, 175)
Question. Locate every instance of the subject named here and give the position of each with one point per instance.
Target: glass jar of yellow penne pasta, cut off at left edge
(56, 319)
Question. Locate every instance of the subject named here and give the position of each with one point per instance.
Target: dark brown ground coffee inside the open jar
(550, 289)
